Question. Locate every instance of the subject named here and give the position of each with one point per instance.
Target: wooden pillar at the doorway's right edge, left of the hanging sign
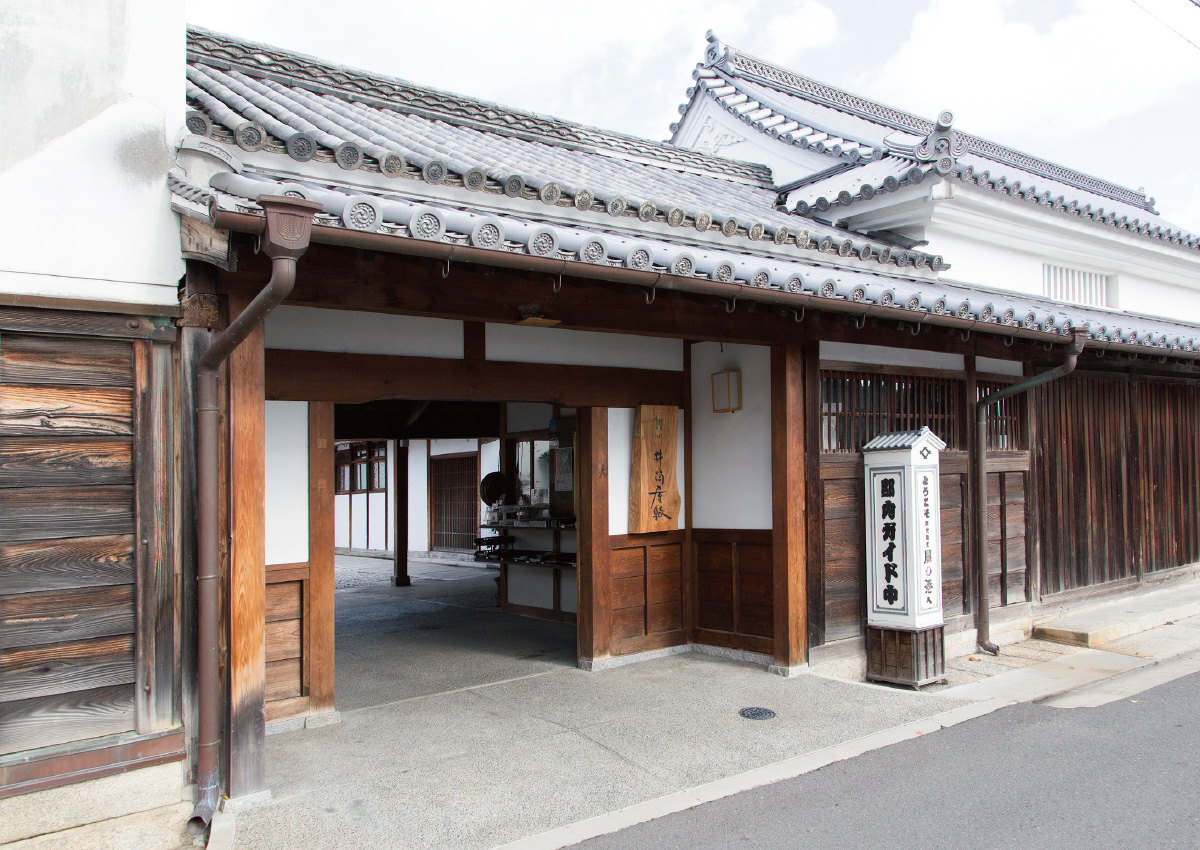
(595, 618)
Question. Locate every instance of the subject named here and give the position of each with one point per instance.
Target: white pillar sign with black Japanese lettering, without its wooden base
(904, 536)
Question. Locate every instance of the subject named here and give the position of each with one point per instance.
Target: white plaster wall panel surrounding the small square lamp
(731, 452)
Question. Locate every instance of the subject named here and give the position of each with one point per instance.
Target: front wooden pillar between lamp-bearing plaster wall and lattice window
(788, 506)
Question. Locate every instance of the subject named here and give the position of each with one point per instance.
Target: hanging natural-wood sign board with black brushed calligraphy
(653, 489)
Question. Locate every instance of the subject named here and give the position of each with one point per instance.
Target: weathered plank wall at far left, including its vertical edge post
(88, 631)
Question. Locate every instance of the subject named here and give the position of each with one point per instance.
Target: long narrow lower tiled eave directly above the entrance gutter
(748, 271)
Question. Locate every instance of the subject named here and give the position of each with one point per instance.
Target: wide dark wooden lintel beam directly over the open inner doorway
(357, 379)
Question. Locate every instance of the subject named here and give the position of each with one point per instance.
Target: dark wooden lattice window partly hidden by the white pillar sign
(859, 406)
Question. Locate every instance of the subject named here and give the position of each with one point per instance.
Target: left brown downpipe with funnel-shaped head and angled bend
(289, 225)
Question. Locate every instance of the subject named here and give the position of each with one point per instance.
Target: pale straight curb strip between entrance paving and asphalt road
(789, 769)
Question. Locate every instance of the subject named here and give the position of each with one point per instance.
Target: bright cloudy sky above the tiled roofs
(1111, 88)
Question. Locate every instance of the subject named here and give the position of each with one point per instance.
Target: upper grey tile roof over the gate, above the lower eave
(266, 99)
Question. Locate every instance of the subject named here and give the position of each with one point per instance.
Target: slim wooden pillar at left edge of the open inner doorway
(320, 603)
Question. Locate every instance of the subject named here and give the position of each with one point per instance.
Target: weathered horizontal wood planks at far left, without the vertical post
(68, 519)
